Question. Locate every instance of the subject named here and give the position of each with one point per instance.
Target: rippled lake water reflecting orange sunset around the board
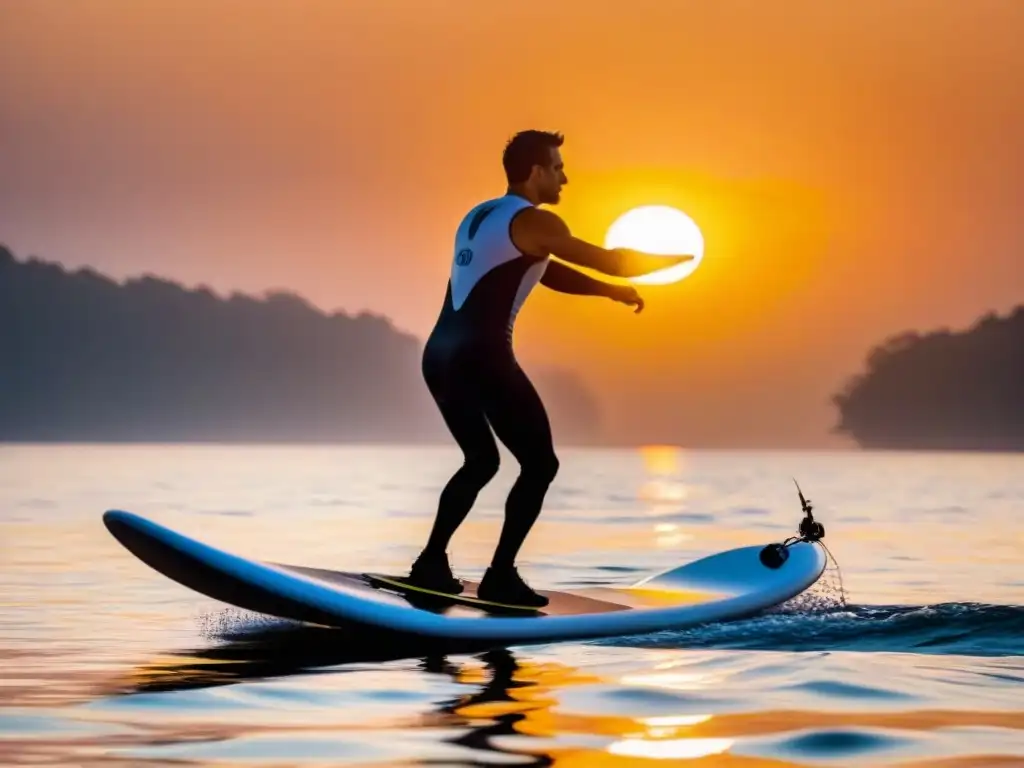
(920, 661)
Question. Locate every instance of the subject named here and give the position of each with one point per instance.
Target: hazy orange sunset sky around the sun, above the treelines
(856, 168)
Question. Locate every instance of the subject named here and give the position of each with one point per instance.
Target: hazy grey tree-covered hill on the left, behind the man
(83, 358)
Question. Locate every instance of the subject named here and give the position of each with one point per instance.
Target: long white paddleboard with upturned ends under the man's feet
(726, 586)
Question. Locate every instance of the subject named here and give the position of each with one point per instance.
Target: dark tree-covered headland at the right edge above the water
(942, 391)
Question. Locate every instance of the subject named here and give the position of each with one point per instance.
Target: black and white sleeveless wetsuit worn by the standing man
(472, 371)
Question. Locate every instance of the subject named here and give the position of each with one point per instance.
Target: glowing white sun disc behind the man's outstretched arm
(660, 230)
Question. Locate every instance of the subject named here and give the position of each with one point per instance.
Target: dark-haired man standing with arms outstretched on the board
(502, 251)
